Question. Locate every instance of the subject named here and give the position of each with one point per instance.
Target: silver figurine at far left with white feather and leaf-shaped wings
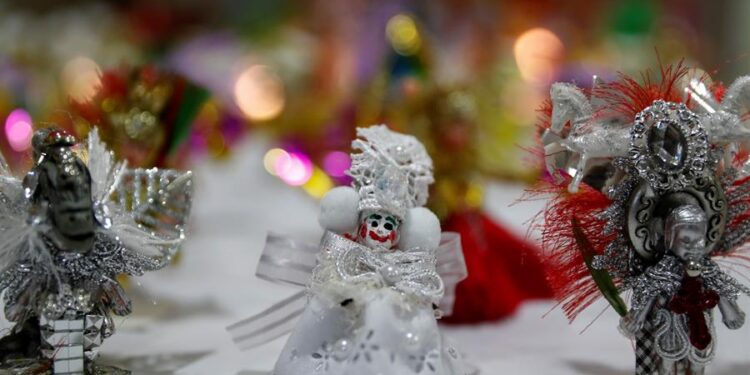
(68, 229)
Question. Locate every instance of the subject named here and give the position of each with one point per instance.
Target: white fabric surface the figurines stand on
(236, 202)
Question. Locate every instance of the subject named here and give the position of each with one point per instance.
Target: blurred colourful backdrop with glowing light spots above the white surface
(195, 78)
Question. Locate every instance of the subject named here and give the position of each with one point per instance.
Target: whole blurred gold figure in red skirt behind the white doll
(458, 128)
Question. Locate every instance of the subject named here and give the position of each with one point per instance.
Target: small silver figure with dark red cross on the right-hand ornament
(673, 300)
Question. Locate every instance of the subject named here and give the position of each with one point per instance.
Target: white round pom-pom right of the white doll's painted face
(421, 228)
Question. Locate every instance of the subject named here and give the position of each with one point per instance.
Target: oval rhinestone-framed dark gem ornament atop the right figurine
(668, 146)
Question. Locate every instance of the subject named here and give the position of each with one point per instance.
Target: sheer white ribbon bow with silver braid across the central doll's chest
(432, 277)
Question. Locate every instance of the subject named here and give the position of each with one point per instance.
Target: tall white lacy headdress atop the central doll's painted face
(391, 171)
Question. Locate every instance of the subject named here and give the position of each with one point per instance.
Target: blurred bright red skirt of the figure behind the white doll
(504, 270)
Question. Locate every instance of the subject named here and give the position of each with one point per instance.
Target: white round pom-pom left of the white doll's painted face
(339, 211)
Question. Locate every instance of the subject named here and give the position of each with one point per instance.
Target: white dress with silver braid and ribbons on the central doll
(368, 313)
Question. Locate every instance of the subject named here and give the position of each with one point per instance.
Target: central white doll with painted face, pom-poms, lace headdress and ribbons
(381, 277)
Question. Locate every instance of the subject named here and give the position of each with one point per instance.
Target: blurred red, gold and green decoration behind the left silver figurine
(144, 114)
